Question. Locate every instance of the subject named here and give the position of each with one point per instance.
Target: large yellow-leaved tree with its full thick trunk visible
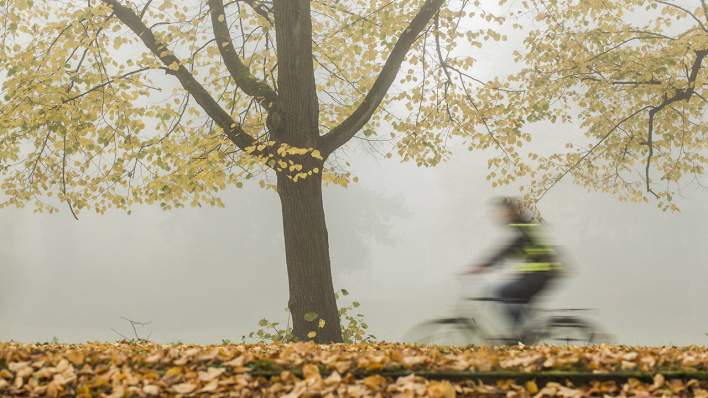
(254, 90)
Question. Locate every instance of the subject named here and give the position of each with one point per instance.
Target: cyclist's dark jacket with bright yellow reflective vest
(532, 246)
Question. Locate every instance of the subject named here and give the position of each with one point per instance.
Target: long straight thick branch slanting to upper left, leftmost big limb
(232, 129)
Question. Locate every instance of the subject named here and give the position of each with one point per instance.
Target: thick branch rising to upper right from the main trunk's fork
(341, 134)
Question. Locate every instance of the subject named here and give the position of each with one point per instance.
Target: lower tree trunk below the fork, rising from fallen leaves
(307, 258)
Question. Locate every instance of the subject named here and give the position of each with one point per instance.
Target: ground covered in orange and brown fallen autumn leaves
(146, 369)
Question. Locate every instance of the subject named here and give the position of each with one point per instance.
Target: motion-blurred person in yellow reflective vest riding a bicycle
(538, 265)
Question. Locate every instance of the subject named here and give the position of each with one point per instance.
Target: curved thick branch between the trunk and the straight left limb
(250, 85)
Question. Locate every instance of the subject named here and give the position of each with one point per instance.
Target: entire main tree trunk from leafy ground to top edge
(297, 124)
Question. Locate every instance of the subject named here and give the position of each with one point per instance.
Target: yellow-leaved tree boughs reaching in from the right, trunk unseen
(633, 72)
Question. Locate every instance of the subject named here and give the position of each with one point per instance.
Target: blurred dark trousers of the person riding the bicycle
(519, 293)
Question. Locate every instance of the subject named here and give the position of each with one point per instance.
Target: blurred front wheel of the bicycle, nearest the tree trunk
(446, 332)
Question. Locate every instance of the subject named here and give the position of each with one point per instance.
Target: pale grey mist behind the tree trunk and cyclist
(397, 239)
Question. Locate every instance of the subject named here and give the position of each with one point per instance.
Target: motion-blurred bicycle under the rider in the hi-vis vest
(465, 329)
